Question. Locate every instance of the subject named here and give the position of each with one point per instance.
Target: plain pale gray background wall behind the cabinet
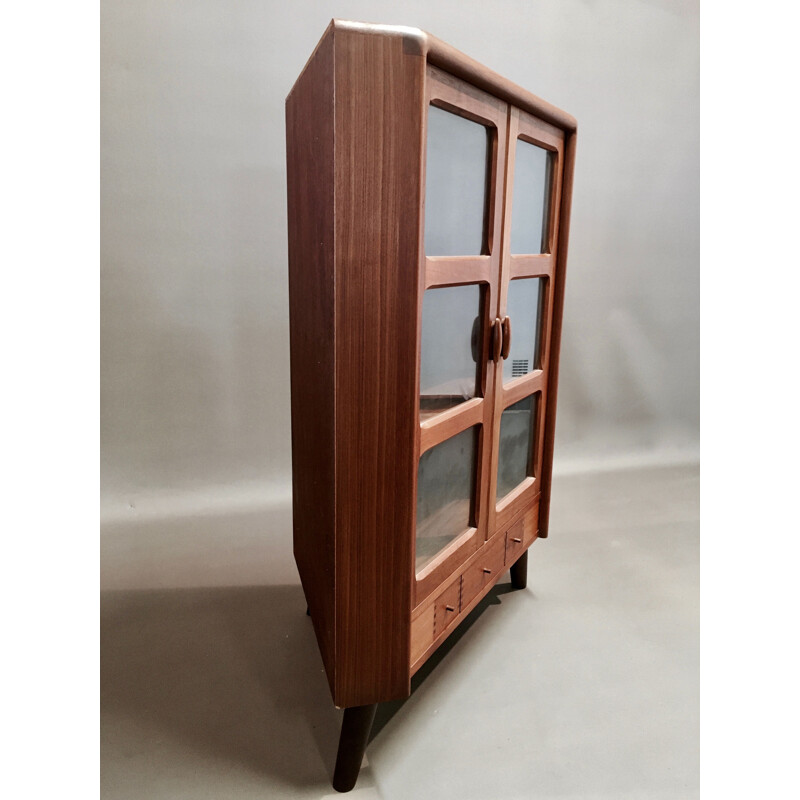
(195, 368)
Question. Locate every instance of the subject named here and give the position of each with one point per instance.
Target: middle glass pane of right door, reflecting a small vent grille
(524, 308)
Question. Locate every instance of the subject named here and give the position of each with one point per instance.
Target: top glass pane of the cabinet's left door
(456, 176)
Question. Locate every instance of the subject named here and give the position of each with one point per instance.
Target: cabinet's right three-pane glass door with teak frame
(530, 225)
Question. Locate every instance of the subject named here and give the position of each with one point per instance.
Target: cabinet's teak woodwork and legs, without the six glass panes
(356, 135)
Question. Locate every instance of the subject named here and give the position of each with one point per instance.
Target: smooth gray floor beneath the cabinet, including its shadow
(585, 685)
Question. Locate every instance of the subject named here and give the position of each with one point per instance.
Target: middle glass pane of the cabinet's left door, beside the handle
(451, 342)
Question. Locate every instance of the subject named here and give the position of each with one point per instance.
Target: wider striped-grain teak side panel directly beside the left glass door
(378, 124)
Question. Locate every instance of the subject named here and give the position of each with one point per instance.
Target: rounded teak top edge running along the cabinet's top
(446, 57)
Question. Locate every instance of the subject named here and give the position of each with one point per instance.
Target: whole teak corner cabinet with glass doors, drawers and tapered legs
(428, 207)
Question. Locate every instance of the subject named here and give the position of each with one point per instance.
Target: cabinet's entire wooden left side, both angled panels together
(351, 126)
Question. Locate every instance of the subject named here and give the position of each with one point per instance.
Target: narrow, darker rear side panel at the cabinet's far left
(310, 187)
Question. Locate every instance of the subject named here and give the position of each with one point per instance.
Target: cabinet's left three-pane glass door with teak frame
(458, 329)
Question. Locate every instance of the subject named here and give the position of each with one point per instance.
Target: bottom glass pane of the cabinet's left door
(445, 484)
